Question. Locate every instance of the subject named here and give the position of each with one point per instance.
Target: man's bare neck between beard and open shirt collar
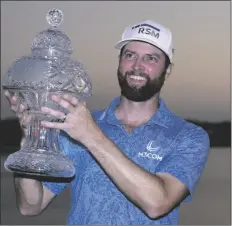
(136, 113)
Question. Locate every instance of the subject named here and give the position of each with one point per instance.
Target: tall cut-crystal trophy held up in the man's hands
(48, 70)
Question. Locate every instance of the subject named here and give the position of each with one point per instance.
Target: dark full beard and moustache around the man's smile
(142, 93)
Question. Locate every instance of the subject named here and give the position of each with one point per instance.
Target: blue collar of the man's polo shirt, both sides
(162, 116)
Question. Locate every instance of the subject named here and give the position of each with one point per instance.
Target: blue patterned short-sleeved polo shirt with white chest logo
(166, 143)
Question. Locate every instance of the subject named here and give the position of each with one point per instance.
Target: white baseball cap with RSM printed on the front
(150, 32)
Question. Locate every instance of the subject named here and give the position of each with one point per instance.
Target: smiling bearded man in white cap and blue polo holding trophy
(136, 161)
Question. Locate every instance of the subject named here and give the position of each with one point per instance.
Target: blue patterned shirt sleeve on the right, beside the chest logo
(189, 156)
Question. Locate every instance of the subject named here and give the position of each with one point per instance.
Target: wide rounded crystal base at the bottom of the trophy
(40, 163)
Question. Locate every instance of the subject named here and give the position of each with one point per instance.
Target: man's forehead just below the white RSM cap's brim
(142, 48)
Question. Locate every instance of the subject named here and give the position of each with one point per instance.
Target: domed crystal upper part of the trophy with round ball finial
(49, 67)
